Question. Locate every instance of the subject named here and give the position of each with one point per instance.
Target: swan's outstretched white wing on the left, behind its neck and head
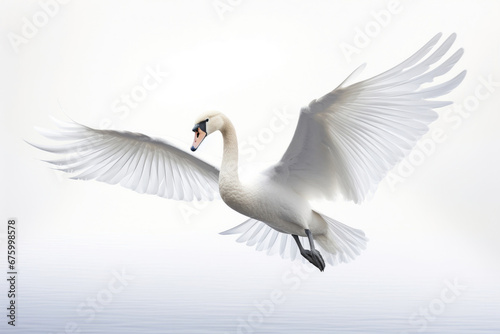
(133, 160)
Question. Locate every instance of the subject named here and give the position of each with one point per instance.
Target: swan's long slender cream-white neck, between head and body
(229, 182)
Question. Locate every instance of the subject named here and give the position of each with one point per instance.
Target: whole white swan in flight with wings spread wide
(344, 144)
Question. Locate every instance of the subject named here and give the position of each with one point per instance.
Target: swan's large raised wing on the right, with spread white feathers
(347, 141)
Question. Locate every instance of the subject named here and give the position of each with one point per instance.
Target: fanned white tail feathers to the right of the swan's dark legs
(341, 243)
